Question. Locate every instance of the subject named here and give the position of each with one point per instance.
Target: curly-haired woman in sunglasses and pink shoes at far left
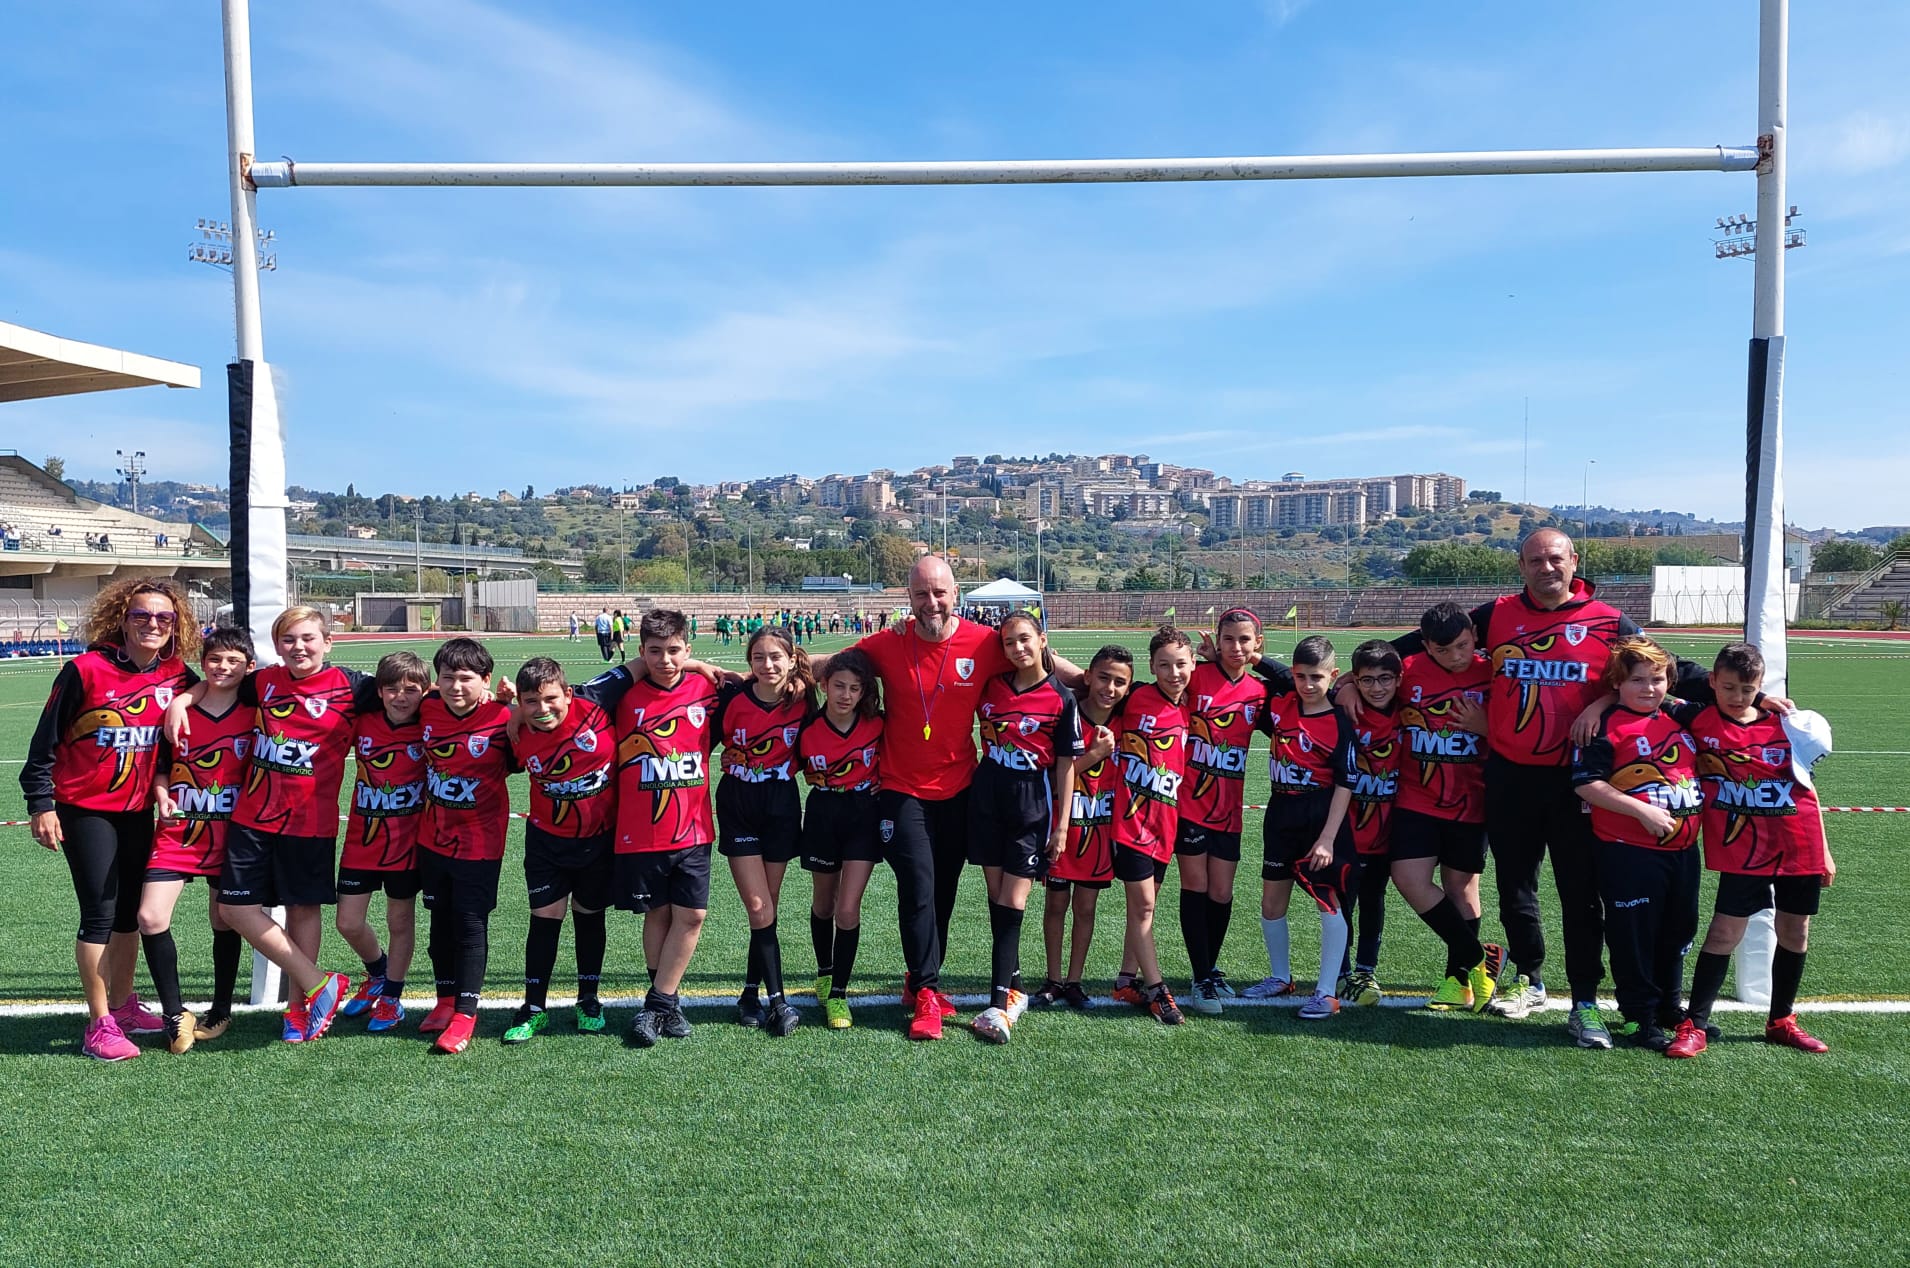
(89, 784)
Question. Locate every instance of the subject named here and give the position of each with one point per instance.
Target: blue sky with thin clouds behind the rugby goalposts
(440, 341)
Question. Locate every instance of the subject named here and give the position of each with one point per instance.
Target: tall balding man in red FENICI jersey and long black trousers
(1548, 648)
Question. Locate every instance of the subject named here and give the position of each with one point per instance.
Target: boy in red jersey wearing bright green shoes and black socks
(568, 744)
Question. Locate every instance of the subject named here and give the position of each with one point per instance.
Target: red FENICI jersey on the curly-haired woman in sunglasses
(108, 755)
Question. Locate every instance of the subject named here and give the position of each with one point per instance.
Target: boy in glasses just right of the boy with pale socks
(1374, 780)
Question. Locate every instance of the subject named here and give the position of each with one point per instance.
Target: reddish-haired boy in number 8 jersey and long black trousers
(1640, 776)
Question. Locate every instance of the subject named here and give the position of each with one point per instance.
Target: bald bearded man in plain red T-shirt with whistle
(933, 671)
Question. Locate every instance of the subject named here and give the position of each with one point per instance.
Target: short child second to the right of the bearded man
(1086, 866)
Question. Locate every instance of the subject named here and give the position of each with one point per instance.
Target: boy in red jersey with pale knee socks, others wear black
(1307, 835)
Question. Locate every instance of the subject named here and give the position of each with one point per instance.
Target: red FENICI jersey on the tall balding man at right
(1548, 669)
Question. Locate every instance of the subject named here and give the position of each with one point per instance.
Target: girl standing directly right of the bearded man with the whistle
(1021, 803)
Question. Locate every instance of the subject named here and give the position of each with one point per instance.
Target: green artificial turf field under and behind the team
(1384, 1135)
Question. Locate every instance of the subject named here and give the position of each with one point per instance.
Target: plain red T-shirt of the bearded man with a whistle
(948, 679)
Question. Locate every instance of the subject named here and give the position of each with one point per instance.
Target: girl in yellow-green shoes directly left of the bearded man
(841, 843)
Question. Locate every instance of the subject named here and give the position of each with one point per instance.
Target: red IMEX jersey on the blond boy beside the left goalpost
(303, 732)
